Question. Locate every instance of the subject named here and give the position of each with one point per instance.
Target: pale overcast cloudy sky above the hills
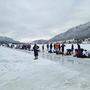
(28, 20)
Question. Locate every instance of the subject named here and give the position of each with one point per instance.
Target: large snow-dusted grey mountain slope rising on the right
(78, 32)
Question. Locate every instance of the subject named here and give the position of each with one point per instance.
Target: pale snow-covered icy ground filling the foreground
(18, 71)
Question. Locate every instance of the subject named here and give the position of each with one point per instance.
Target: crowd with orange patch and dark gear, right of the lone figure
(60, 49)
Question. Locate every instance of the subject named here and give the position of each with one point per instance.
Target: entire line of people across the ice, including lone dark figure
(52, 48)
